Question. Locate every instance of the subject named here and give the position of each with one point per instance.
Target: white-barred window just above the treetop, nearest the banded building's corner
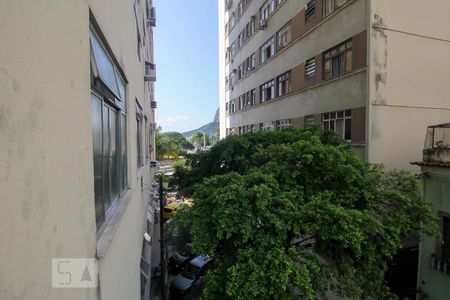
(339, 122)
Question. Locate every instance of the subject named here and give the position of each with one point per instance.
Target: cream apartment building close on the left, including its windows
(77, 115)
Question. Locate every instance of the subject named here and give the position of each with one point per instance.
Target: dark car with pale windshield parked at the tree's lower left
(191, 275)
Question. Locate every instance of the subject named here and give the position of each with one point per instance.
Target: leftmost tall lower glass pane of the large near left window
(96, 113)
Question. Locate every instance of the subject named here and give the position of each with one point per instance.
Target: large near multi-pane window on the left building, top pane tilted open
(108, 130)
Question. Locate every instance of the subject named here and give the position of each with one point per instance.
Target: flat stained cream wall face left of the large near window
(47, 202)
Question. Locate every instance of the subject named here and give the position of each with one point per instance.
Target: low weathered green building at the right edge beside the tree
(434, 259)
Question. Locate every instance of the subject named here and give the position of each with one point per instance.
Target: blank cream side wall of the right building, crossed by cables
(408, 78)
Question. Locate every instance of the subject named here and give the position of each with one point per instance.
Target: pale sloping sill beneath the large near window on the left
(105, 238)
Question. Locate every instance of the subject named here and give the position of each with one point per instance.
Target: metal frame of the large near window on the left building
(115, 104)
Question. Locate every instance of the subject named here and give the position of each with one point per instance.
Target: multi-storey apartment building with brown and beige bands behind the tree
(373, 71)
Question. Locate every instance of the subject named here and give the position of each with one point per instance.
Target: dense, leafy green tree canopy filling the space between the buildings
(297, 214)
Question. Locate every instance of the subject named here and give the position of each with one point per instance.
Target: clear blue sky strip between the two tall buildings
(186, 57)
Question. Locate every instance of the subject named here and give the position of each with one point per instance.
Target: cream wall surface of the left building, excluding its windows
(46, 162)
